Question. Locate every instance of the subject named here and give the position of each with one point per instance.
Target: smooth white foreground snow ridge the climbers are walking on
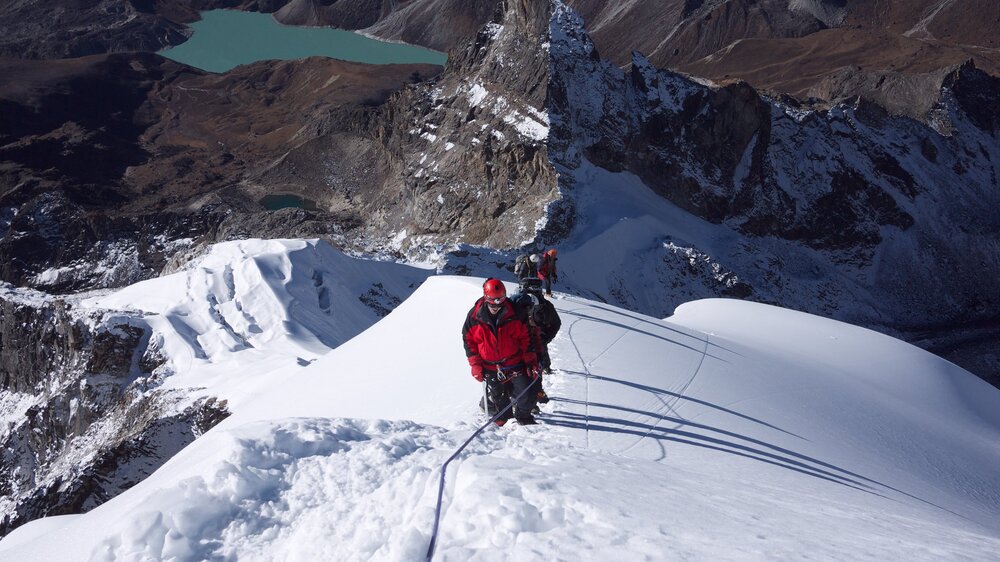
(731, 430)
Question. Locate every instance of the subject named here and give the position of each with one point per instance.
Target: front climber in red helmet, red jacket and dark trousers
(501, 351)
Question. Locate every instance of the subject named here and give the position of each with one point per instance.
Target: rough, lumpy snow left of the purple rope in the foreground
(281, 484)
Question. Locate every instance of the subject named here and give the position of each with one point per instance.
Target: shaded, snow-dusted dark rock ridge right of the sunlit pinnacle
(834, 208)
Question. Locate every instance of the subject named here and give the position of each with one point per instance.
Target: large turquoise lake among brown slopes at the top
(224, 39)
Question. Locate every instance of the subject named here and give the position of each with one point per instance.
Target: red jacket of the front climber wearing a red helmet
(504, 340)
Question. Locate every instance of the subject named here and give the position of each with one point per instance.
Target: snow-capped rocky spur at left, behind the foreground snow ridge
(119, 383)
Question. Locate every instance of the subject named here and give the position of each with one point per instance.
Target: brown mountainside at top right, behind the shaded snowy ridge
(892, 51)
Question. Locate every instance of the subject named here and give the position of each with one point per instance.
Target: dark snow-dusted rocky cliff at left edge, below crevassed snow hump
(81, 417)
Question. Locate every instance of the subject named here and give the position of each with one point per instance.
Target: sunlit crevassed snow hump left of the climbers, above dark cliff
(263, 303)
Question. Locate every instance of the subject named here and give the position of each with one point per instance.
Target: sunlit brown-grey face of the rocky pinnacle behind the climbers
(458, 158)
